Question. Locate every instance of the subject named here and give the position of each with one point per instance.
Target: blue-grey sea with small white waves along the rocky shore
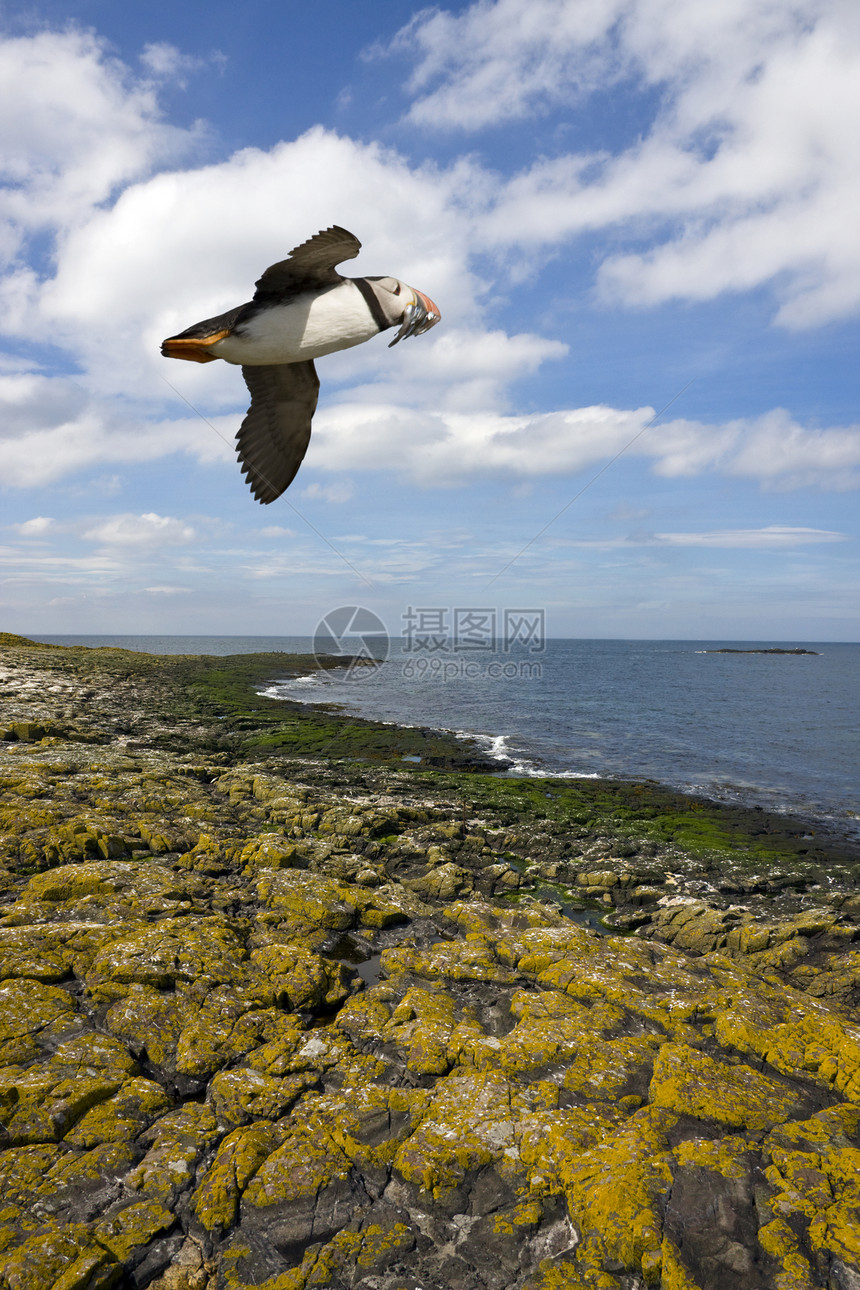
(773, 731)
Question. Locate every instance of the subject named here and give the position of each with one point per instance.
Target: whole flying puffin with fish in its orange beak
(302, 309)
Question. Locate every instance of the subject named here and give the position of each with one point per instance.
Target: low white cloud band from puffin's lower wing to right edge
(449, 448)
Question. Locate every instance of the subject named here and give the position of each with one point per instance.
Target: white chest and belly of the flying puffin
(308, 327)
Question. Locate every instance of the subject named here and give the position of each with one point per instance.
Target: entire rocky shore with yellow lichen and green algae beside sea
(280, 1009)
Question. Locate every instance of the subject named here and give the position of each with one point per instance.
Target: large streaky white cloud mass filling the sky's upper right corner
(745, 176)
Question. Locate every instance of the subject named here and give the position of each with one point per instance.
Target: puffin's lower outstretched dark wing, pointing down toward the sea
(275, 435)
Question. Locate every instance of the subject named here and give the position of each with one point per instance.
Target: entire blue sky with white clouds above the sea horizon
(621, 207)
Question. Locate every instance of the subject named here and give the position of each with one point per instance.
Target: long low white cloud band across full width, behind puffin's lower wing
(52, 429)
